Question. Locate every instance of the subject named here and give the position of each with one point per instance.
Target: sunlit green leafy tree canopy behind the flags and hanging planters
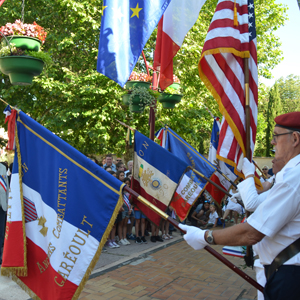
(81, 106)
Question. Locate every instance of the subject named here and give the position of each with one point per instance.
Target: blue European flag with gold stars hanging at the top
(126, 26)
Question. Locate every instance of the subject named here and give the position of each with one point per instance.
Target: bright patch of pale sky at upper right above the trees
(289, 37)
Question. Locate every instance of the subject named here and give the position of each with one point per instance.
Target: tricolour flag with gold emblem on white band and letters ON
(156, 174)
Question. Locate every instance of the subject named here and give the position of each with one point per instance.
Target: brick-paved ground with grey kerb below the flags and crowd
(168, 270)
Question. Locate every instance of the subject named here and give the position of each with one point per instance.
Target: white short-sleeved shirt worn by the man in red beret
(278, 216)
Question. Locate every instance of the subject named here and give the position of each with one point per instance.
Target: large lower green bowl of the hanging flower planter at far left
(21, 69)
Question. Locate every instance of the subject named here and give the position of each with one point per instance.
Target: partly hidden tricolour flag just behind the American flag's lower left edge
(226, 169)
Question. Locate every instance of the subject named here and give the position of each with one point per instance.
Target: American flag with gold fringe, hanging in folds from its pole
(221, 67)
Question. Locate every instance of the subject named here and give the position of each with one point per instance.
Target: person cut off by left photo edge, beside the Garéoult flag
(4, 190)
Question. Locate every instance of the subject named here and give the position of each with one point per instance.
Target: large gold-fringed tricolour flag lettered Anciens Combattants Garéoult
(62, 207)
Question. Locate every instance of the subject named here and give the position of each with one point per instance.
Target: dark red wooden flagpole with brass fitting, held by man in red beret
(207, 248)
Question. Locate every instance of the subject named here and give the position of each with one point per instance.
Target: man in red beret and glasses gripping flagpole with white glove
(275, 224)
